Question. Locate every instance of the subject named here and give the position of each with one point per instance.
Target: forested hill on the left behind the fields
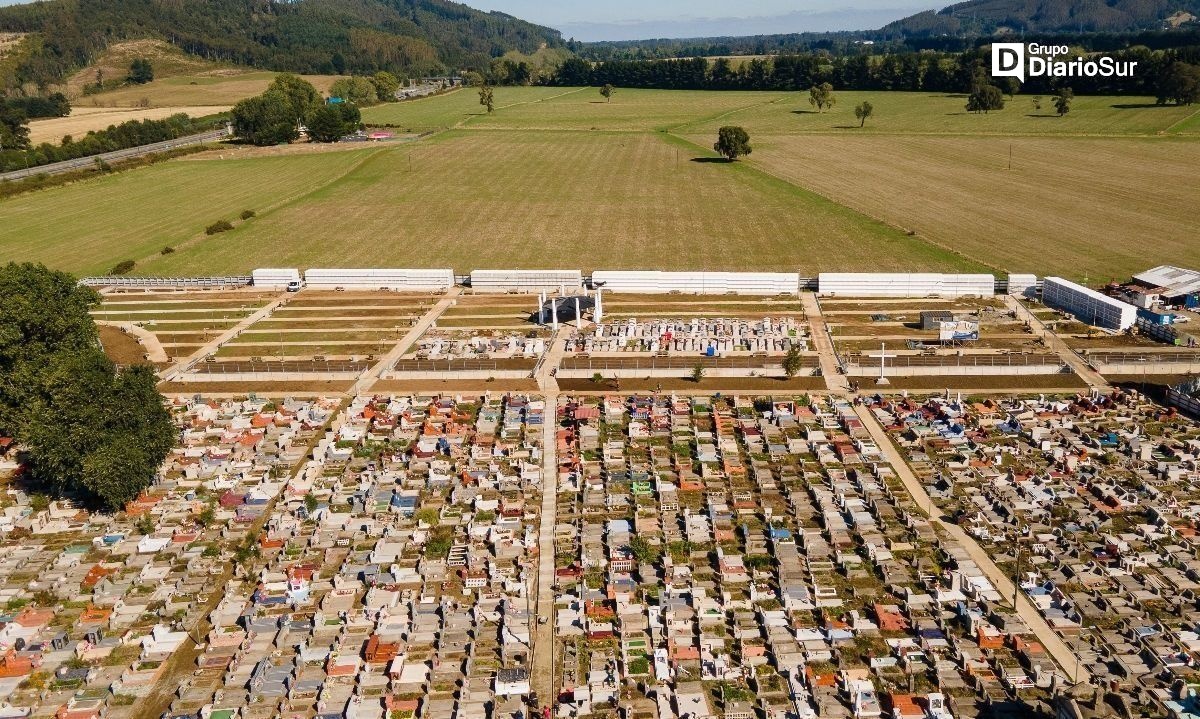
(309, 37)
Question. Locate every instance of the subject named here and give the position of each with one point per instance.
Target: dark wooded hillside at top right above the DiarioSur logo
(988, 17)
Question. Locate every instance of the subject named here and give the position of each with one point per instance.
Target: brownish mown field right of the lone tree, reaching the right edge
(1095, 208)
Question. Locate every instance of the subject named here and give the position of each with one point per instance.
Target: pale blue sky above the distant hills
(641, 20)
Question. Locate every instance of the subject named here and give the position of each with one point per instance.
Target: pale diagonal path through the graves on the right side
(1025, 609)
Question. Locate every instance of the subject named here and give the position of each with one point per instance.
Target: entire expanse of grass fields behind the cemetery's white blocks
(557, 178)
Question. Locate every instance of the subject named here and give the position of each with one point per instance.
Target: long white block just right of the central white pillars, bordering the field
(653, 281)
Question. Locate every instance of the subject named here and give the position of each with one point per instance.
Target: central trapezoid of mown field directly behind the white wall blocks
(554, 200)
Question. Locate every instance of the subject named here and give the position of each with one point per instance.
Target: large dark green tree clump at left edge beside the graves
(91, 430)
